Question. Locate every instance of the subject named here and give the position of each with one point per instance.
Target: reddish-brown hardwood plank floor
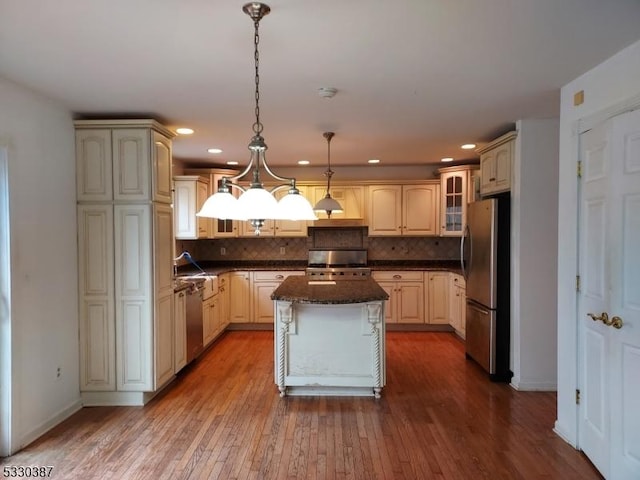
(439, 418)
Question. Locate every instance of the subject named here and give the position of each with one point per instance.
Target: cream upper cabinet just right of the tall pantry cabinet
(190, 193)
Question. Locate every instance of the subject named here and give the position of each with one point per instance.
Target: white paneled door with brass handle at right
(609, 415)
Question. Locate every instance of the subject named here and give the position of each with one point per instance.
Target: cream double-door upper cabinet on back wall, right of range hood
(403, 209)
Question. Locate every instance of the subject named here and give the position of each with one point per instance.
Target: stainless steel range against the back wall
(338, 264)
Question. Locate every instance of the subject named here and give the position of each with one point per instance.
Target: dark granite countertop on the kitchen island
(300, 289)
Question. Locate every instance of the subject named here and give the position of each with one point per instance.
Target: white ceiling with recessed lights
(415, 78)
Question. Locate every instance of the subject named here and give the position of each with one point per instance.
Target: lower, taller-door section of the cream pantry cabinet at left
(126, 301)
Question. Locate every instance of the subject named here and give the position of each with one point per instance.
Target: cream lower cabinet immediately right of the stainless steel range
(406, 295)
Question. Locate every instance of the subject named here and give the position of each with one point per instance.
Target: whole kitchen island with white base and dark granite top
(329, 337)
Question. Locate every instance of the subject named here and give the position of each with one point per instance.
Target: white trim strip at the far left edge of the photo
(6, 391)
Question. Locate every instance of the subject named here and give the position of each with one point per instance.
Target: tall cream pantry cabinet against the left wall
(125, 238)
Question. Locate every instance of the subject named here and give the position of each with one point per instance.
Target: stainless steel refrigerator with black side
(485, 257)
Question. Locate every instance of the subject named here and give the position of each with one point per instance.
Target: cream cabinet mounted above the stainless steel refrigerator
(495, 164)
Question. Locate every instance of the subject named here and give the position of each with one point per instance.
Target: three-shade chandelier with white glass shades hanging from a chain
(256, 204)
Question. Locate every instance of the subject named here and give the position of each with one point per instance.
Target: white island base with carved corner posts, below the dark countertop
(330, 349)
